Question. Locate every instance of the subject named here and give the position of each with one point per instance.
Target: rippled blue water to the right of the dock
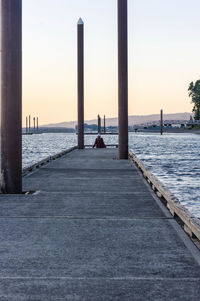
(175, 160)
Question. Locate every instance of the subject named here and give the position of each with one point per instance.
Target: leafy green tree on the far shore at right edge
(194, 93)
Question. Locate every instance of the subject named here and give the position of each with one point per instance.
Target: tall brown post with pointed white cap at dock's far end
(80, 32)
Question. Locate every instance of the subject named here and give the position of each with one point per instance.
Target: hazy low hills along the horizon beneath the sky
(133, 120)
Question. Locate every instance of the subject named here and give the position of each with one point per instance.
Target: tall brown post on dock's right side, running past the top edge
(123, 78)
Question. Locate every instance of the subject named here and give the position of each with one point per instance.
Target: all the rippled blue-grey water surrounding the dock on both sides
(173, 158)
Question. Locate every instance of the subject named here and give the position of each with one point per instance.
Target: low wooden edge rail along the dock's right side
(190, 223)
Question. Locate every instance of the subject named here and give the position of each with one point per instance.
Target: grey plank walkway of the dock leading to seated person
(93, 231)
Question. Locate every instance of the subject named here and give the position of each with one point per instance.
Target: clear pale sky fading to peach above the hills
(164, 57)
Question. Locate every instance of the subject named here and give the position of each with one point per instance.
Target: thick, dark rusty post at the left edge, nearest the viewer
(11, 95)
